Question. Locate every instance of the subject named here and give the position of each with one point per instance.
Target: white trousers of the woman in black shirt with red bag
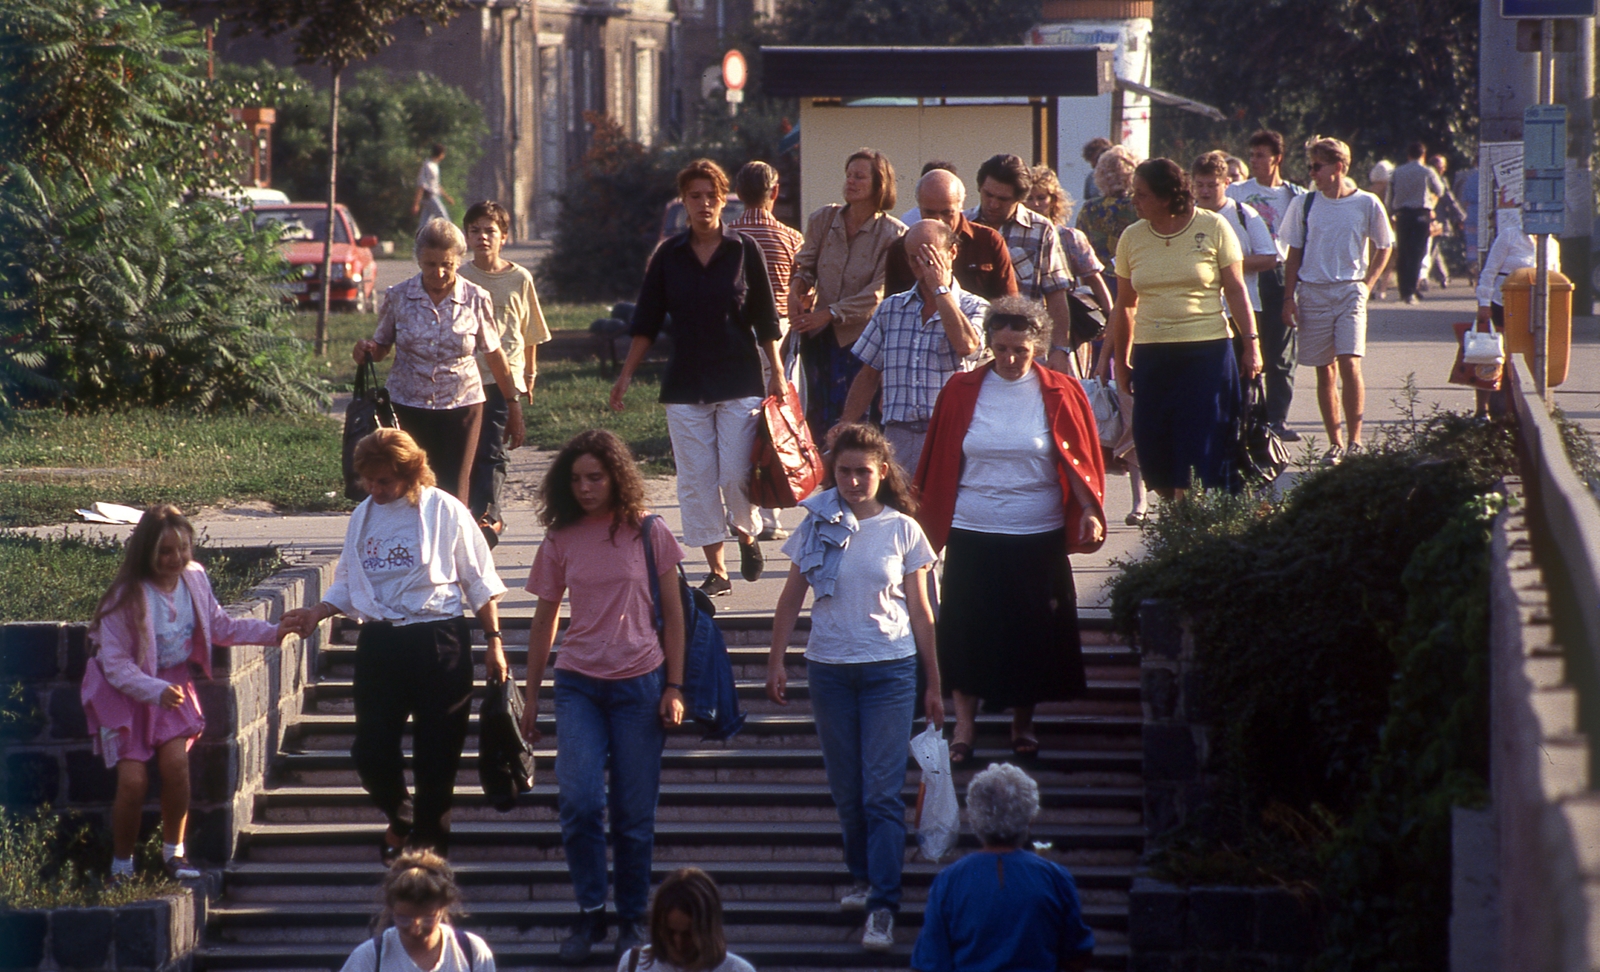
(713, 445)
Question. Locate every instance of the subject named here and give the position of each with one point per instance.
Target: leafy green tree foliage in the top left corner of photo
(111, 86)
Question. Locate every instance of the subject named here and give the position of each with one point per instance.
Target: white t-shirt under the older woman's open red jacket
(1009, 480)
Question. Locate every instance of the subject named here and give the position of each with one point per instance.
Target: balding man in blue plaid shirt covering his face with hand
(916, 341)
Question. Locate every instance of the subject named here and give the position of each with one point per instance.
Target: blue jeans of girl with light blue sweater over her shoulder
(863, 717)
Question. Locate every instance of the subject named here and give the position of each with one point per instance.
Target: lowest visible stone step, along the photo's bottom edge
(814, 957)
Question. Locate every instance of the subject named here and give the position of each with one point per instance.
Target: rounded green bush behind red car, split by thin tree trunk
(383, 122)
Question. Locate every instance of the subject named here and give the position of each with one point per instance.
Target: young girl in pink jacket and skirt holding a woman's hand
(153, 631)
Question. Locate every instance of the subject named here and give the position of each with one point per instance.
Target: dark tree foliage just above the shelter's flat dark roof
(905, 22)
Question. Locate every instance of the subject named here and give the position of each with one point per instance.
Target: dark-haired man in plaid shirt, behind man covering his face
(1036, 249)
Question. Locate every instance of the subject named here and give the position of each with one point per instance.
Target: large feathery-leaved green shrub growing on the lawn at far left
(114, 297)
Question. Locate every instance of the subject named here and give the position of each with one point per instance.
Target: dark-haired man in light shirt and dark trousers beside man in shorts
(1270, 194)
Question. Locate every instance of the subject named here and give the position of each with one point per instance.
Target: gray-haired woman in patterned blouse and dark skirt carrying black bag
(438, 322)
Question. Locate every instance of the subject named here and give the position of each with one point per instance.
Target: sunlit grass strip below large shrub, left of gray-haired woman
(54, 463)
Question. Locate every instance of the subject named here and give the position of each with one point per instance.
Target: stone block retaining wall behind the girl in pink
(252, 696)
